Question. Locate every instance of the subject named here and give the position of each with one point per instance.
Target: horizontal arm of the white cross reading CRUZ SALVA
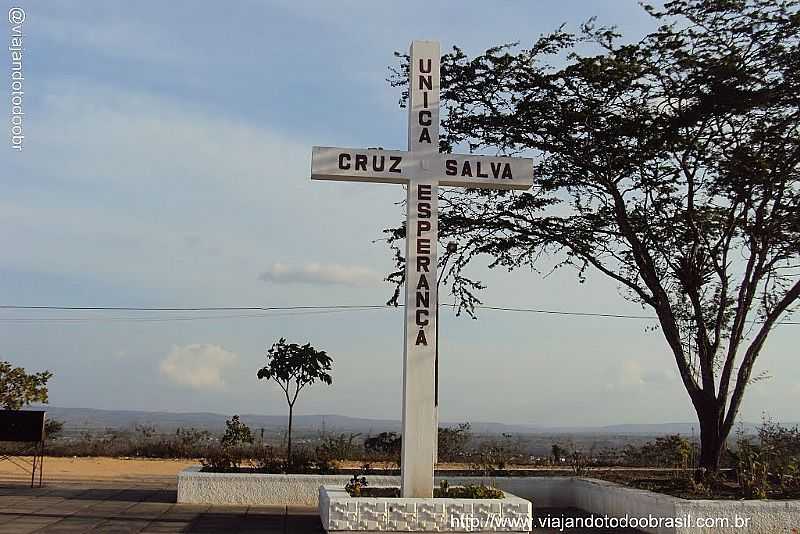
(399, 166)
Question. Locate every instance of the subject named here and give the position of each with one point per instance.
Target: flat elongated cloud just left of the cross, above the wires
(321, 274)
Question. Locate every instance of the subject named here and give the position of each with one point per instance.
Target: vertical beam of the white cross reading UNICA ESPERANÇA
(419, 361)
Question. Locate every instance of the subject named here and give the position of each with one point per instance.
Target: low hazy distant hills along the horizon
(90, 418)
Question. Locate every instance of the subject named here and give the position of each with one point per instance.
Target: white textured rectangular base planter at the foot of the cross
(342, 514)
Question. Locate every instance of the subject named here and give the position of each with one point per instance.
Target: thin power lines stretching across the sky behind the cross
(288, 311)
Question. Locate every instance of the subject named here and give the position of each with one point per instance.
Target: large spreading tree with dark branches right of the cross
(669, 165)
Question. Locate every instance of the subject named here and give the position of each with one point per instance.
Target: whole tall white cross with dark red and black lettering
(423, 169)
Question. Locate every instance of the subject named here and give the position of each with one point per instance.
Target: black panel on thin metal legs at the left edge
(24, 427)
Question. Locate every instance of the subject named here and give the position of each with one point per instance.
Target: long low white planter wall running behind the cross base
(595, 496)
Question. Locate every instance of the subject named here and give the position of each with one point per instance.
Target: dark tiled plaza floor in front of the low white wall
(130, 507)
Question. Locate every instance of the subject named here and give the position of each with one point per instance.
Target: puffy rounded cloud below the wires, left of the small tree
(198, 366)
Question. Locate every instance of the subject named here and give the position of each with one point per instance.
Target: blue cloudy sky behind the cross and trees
(166, 163)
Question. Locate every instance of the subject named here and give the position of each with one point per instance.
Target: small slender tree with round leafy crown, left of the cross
(293, 367)
